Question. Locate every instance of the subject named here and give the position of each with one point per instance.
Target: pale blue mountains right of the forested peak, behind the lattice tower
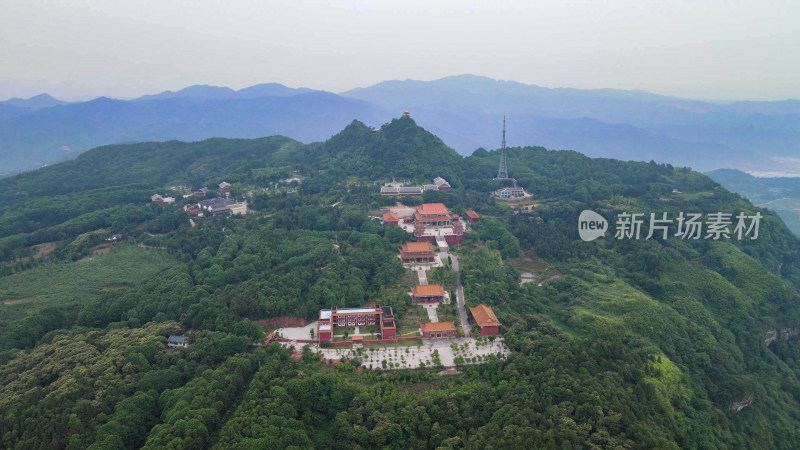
(466, 111)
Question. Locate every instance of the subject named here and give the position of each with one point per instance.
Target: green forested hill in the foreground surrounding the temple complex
(643, 343)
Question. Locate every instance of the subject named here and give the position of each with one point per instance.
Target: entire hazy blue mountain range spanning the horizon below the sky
(466, 111)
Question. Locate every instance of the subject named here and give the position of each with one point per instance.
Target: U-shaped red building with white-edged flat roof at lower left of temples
(381, 316)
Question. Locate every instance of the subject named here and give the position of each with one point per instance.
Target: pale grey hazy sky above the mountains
(709, 49)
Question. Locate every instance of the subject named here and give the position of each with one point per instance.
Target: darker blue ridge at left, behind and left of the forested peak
(192, 114)
